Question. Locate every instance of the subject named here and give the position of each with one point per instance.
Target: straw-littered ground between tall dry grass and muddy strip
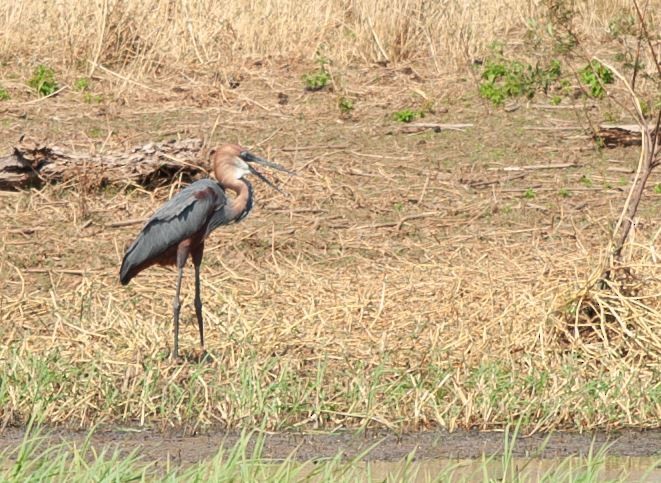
(408, 282)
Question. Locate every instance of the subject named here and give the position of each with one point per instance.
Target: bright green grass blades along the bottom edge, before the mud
(34, 460)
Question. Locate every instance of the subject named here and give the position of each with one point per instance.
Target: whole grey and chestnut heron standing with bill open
(179, 227)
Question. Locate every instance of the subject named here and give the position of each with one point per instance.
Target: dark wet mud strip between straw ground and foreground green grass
(183, 449)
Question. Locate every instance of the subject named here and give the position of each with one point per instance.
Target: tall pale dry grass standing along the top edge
(162, 36)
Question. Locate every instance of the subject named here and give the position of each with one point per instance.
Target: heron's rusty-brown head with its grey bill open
(231, 162)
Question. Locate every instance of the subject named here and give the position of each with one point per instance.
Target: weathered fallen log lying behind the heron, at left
(32, 164)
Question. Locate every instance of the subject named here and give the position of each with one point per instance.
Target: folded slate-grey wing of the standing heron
(178, 219)
